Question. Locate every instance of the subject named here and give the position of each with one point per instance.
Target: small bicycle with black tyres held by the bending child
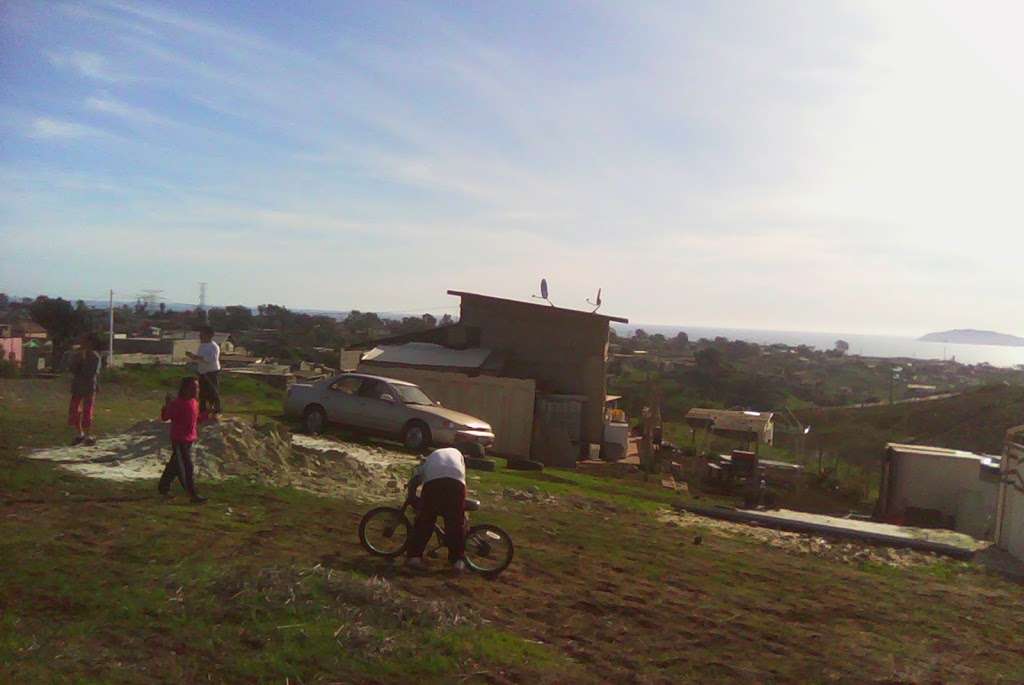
(385, 532)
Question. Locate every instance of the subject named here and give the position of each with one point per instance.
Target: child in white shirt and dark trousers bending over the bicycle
(443, 476)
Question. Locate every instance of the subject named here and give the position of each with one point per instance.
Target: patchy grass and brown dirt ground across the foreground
(268, 584)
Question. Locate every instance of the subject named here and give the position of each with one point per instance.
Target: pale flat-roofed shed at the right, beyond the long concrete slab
(940, 488)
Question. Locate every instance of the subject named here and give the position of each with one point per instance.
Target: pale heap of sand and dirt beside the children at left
(233, 448)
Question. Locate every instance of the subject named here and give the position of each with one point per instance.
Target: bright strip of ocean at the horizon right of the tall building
(866, 346)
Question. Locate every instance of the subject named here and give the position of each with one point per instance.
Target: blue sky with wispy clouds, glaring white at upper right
(817, 166)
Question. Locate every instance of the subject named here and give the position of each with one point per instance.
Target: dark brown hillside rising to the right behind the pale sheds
(976, 420)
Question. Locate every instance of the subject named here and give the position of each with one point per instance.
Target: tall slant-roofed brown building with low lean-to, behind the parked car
(544, 369)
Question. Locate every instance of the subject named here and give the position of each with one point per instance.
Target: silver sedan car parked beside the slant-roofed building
(385, 407)
